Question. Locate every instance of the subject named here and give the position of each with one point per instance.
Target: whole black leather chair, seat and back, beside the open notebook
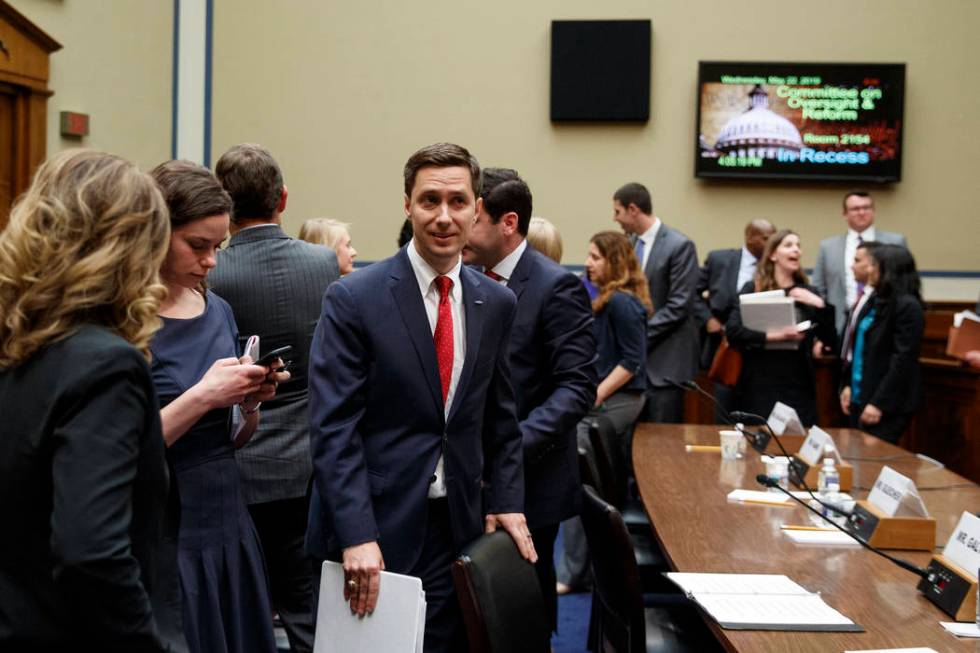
(627, 620)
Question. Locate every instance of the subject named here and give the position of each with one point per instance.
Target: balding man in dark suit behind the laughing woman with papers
(723, 273)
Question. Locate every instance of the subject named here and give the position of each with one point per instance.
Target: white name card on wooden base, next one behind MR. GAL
(893, 516)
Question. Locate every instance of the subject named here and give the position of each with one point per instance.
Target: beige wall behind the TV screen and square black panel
(344, 92)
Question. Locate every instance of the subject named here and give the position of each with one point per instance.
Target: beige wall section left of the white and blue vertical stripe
(115, 65)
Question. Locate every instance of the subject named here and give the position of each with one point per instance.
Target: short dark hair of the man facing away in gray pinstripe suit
(253, 179)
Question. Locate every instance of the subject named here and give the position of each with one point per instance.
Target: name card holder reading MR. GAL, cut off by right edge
(952, 583)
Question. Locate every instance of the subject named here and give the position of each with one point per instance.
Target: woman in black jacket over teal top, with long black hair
(881, 385)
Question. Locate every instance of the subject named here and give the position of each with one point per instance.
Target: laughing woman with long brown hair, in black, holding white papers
(785, 375)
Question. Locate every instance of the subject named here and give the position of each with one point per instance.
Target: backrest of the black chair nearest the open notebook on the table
(618, 595)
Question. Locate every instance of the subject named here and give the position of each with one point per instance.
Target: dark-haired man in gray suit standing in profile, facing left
(670, 262)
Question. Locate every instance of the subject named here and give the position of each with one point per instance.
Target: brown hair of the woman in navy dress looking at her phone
(191, 192)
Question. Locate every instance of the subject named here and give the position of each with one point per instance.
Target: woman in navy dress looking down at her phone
(209, 399)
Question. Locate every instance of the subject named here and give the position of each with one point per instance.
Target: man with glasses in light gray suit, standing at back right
(832, 275)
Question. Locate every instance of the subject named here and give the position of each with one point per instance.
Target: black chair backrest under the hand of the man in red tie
(500, 598)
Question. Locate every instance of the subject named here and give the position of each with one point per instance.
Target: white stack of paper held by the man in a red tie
(396, 626)
